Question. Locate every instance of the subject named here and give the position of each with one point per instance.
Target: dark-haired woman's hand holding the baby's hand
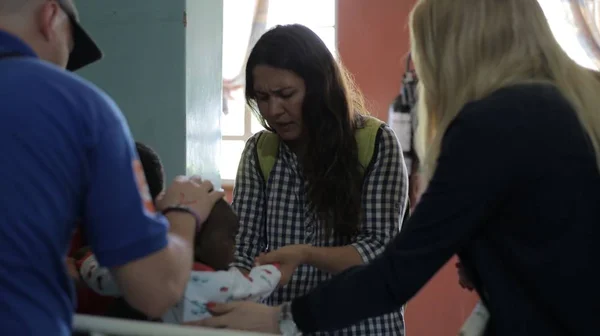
(288, 257)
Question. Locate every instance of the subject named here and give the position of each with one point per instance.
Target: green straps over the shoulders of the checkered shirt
(267, 146)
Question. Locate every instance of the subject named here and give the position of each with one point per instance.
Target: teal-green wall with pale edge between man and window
(164, 74)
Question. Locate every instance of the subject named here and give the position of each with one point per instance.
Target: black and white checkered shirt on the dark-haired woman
(275, 214)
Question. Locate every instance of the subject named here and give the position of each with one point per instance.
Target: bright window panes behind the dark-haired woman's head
(238, 124)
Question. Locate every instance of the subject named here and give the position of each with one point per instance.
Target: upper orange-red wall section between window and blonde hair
(373, 43)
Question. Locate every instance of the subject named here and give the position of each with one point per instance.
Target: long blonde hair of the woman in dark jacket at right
(466, 49)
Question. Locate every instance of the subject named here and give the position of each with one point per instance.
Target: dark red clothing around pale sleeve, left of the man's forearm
(88, 301)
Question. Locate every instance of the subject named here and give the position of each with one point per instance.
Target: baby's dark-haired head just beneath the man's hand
(215, 243)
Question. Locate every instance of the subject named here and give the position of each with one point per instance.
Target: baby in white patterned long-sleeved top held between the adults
(211, 279)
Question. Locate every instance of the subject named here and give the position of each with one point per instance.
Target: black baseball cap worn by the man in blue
(85, 50)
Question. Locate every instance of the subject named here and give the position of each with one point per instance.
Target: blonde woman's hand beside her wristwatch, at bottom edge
(242, 315)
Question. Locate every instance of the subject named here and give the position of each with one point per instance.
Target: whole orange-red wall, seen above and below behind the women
(373, 43)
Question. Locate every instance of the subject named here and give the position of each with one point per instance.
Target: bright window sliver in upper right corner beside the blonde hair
(565, 31)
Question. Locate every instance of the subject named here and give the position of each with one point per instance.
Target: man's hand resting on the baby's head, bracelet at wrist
(194, 193)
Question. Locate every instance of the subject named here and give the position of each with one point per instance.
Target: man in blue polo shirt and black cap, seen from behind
(66, 154)
